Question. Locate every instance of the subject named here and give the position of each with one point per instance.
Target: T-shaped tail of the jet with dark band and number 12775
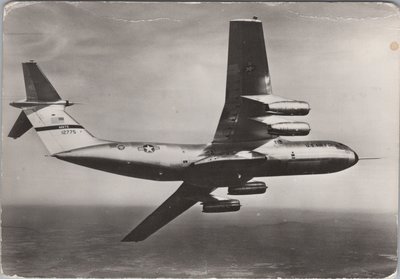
(44, 110)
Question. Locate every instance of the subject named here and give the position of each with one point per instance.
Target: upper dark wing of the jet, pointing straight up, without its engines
(248, 75)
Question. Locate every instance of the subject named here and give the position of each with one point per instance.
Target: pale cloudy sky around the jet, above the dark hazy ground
(157, 72)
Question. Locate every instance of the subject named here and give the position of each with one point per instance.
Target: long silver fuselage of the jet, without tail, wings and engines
(173, 162)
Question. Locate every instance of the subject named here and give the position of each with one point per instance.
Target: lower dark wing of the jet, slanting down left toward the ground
(185, 197)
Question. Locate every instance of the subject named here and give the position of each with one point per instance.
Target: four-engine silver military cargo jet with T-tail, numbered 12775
(247, 143)
